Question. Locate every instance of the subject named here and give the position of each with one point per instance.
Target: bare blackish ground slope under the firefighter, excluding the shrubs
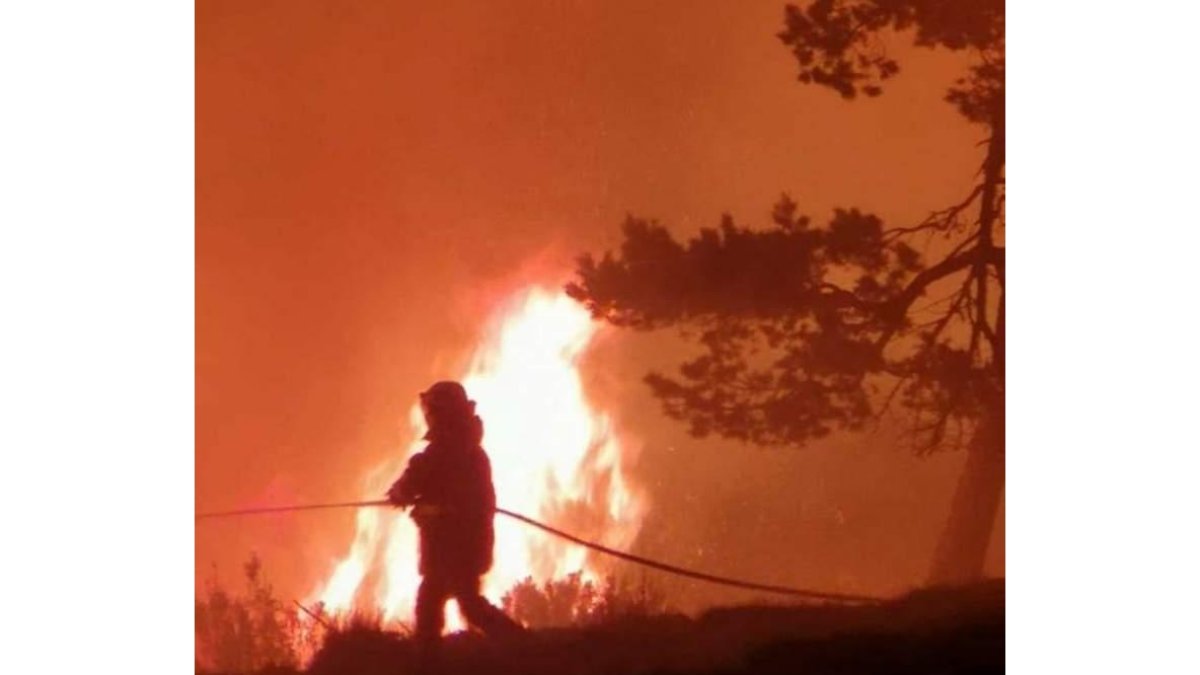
(933, 631)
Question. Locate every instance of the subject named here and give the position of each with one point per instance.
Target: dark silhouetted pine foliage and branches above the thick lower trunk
(813, 328)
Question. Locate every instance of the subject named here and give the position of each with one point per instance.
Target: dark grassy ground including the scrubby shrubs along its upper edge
(933, 631)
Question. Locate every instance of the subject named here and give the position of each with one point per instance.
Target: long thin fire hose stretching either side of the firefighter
(623, 555)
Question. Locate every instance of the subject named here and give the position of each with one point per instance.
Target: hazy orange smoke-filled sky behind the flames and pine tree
(371, 176)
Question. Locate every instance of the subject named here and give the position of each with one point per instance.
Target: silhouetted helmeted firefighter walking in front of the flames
(449, 488)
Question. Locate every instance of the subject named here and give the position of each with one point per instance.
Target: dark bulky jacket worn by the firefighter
(451, 486)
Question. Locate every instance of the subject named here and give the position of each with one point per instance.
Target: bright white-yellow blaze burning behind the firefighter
(554, 458)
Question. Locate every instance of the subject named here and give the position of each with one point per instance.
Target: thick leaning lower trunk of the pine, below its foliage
(963, 547)
